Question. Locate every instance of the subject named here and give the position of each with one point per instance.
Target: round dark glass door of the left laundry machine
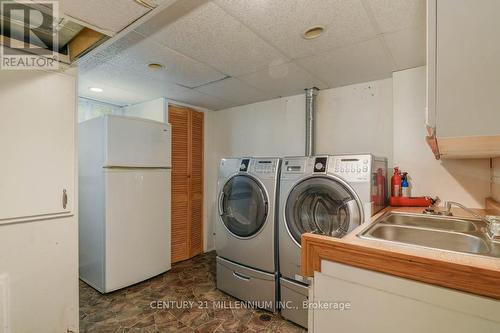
(243, 206)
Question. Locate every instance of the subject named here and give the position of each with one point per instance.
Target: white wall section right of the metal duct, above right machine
(356, 118)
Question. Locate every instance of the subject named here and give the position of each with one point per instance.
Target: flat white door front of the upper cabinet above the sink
(467, 76)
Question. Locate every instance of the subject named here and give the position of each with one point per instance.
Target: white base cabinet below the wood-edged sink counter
(385, 303)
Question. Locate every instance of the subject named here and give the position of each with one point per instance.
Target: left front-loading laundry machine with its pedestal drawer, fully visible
(246, 229)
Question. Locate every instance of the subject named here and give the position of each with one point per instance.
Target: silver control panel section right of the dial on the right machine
(353, 168)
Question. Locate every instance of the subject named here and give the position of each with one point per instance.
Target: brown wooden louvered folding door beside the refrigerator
(187, 182)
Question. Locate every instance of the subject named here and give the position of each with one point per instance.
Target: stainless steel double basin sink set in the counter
(433, 231)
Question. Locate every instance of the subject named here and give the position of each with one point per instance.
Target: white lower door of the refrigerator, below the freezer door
(137, 225)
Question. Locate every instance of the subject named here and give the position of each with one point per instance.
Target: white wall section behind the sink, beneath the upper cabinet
(465, 181)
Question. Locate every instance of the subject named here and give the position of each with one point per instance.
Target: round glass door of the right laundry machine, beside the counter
(321, 205)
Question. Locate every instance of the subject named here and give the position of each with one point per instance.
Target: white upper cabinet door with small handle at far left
(37, 146)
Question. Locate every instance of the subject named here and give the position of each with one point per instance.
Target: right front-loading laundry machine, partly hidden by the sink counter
(329, 195)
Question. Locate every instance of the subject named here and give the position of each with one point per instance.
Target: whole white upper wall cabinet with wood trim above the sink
(463, 79)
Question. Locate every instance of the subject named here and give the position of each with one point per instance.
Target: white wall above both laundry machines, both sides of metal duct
(355, 118)
